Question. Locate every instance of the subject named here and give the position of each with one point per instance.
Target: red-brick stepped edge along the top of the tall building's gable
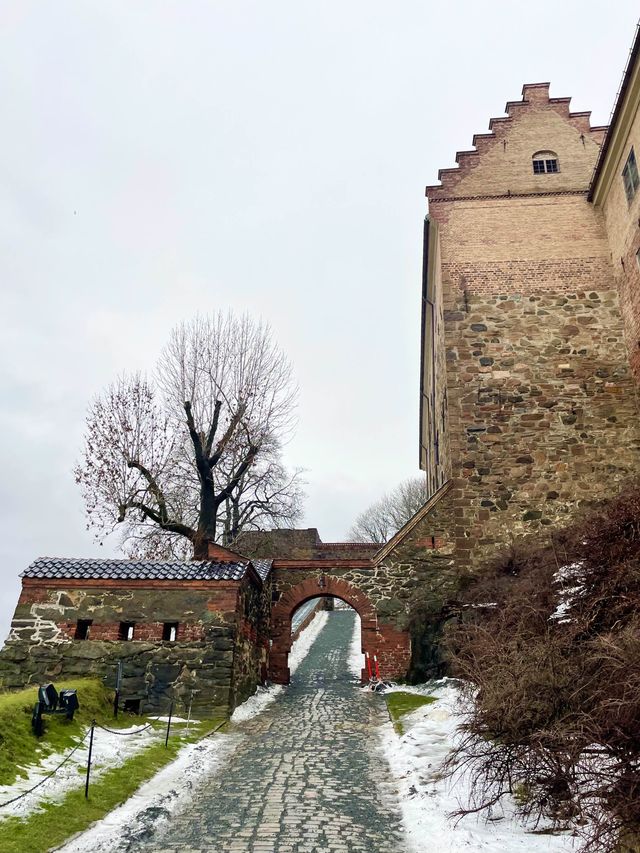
(535, 97)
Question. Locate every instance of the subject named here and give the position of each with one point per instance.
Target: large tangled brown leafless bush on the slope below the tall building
(549, 643)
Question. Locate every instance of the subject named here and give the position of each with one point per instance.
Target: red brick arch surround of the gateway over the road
(289, 602)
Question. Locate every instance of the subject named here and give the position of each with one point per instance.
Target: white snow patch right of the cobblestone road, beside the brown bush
(427, 798)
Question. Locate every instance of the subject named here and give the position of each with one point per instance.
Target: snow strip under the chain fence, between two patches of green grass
(109, 750)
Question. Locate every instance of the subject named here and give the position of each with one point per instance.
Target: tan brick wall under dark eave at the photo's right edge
(622, 219)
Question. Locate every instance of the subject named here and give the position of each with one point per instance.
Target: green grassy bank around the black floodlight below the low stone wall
(20, 748)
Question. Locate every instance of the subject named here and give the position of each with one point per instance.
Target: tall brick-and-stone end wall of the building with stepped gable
(542, 406)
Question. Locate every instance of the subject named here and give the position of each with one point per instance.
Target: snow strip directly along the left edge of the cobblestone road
(153, 803)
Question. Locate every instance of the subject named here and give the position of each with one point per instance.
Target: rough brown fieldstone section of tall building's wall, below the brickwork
(543, 411)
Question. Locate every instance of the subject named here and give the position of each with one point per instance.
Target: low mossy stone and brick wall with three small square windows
(198, 666)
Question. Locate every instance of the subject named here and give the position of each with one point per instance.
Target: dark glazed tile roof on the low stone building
(86, 569)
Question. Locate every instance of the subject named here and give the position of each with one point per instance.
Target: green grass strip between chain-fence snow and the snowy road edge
(49, 828)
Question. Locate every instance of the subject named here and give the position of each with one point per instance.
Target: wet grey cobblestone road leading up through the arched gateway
(306, 776)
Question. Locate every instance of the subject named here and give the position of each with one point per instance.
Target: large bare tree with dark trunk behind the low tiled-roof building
(194, 455)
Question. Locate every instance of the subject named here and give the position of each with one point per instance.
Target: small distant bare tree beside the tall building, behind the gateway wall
(380, 521)
